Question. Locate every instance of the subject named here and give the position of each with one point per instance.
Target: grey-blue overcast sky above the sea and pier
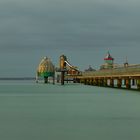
(83, 30)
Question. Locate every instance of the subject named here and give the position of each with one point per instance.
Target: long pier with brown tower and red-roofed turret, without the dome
(109, 75)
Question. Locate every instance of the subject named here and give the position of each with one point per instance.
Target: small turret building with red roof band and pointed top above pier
(109, 62)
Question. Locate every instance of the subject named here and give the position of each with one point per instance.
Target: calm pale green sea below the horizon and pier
(30, 111)
